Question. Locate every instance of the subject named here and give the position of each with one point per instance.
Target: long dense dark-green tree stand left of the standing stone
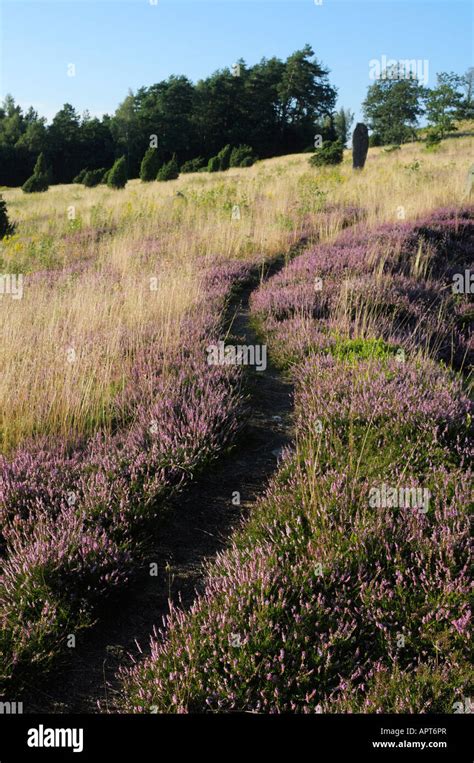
(271, 107)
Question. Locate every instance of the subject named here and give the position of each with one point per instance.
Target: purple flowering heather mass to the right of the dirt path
(326, 600)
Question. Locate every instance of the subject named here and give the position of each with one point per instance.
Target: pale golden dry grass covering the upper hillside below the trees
(104, 246)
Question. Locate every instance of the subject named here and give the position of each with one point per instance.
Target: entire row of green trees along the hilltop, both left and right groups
(272, 108)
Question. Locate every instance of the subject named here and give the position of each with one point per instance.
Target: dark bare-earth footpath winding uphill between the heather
(198, 525)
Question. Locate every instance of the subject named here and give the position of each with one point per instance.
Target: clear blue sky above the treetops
(120, 44)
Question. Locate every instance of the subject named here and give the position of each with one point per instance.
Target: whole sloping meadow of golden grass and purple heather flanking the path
(108, 407)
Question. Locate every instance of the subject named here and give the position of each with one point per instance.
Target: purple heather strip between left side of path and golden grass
(74, 525)
